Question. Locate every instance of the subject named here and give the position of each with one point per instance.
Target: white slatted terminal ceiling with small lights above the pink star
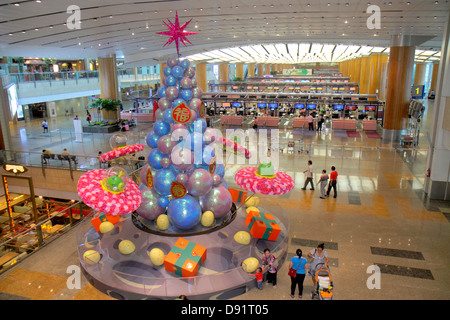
(129, 28)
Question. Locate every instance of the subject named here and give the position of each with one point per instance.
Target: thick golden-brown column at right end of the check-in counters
(398, 91)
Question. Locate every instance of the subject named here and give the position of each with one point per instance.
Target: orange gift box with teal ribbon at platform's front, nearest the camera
(185, 258)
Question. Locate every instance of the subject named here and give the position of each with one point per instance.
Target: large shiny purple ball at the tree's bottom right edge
(218, 200)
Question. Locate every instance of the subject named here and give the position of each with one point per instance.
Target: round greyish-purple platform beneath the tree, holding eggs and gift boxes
(133, 276)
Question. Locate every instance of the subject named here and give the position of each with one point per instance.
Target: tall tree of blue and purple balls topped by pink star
(182, 178)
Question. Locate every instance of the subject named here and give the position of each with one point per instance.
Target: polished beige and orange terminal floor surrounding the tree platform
(380, 217)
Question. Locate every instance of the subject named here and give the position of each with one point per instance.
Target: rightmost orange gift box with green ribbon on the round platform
(262, 225)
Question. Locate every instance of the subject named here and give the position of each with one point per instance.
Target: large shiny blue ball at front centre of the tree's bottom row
(184, 213)
